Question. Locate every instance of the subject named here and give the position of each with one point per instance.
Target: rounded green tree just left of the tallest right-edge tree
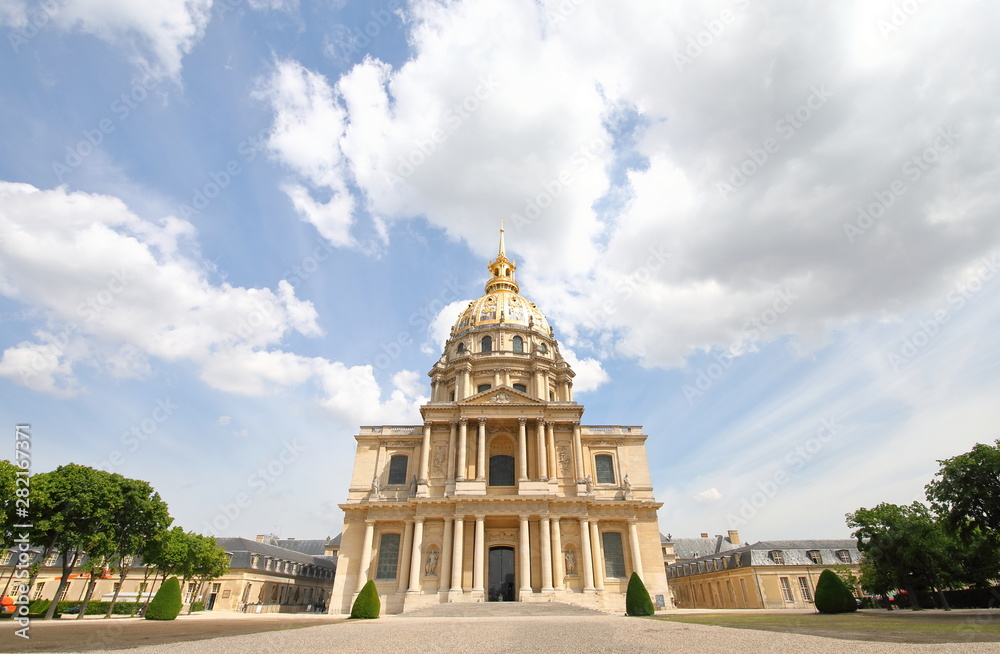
(907, 547)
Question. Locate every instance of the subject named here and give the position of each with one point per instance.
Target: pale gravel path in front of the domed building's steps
(541, 635)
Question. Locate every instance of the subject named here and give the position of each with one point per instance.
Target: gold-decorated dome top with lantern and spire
(502, 305)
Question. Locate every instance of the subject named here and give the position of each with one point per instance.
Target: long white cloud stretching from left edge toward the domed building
(120, 290)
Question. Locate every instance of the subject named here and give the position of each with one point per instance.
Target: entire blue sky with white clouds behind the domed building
(231, 233)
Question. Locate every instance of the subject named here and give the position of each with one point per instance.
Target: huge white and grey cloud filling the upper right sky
(792, 188)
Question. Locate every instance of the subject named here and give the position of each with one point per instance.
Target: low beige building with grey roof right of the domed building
(780, 574)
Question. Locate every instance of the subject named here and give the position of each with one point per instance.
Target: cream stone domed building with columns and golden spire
(501, 494)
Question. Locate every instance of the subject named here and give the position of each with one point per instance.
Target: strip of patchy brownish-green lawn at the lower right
(896, 626)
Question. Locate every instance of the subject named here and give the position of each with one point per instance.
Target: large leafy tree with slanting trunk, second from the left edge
(72, 507)
